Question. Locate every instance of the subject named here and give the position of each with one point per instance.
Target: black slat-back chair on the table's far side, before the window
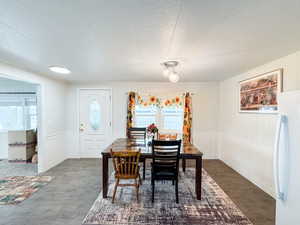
(137, 136)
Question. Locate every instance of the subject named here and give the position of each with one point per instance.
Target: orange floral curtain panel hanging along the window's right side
(187, 120)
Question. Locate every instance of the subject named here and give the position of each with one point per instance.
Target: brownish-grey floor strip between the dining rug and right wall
(258, 206)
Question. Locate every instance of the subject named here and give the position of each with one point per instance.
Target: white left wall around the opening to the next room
(52, 131)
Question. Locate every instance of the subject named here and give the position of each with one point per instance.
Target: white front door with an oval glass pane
(94, 121)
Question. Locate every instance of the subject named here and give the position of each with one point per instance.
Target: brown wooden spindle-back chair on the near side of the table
(126, 166)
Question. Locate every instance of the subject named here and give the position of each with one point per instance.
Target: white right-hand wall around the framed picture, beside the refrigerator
(246, 140)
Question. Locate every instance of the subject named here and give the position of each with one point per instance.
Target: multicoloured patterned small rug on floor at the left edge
(14, 190)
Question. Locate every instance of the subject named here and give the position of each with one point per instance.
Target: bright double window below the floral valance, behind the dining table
(168, 119)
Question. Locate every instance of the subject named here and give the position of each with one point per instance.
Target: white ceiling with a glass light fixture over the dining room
(118, 40)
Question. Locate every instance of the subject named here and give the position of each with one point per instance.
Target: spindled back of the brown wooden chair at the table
(126, 163)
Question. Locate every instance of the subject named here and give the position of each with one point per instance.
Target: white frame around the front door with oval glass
(78, 114)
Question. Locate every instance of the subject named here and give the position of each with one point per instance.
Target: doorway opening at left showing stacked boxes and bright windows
(19, 122)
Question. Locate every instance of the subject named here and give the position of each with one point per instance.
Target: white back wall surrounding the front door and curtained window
(205, 107)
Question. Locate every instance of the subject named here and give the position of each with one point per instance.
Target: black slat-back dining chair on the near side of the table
(165, 163)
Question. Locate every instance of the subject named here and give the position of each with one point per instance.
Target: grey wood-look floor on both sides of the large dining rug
(77, 182)
